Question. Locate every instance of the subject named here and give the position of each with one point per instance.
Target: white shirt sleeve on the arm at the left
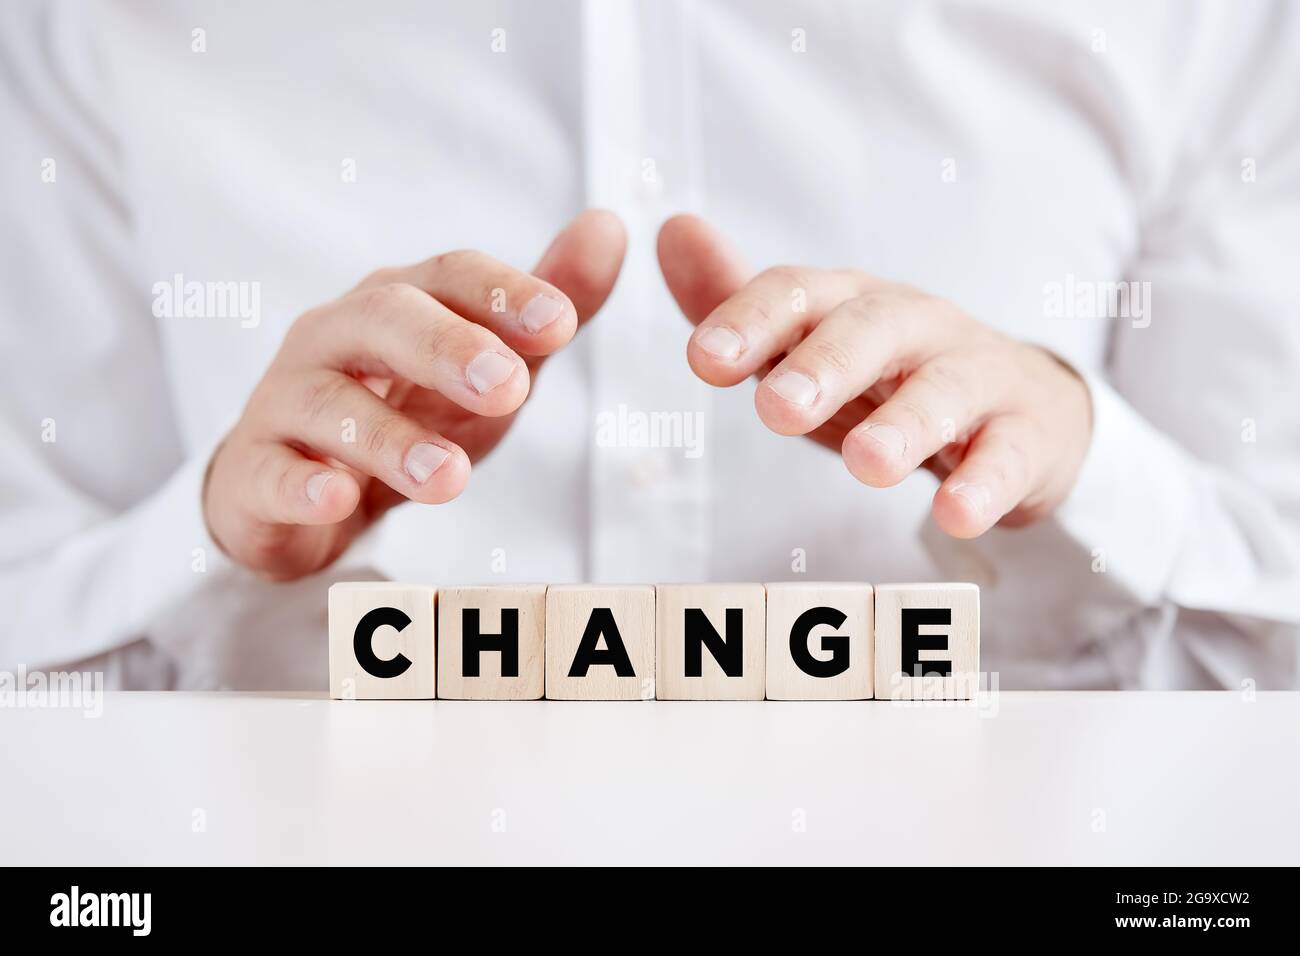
(101, 514)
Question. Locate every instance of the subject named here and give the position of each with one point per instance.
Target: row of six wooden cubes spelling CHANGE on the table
(670, 642)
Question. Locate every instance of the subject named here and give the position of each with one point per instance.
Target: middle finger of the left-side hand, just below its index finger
(400, 330)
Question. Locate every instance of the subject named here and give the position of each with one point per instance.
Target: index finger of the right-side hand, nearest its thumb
(766, 318)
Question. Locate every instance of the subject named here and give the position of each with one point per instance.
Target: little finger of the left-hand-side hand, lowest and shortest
(285, 487)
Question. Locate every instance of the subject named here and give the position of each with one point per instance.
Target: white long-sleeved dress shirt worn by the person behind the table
(1009, 157)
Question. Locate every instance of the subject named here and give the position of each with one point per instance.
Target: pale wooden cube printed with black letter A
(600, 642)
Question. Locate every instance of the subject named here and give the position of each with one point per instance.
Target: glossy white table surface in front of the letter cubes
(1024, 778)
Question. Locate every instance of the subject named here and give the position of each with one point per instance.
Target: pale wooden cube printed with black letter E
(928, 642)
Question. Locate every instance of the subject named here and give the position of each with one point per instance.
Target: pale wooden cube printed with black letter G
(821, 642)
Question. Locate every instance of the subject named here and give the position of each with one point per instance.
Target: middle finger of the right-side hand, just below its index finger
(859, 344)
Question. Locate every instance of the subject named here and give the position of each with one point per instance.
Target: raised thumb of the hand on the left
(584, 261)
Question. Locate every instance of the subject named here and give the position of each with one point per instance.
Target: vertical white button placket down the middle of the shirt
(648, 504)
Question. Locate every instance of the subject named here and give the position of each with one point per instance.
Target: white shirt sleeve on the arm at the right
(1178, 551)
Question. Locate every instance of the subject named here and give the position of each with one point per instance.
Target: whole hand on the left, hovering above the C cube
(392, 392)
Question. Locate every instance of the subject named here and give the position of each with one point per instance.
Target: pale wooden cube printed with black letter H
(492, 642)
